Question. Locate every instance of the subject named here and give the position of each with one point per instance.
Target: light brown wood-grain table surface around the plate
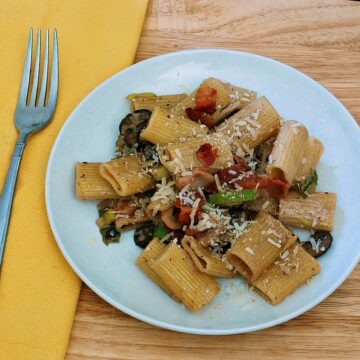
(321, 39)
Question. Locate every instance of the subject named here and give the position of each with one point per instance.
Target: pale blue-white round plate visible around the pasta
(90, 134)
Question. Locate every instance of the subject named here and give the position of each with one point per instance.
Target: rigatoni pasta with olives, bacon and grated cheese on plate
(213, 184)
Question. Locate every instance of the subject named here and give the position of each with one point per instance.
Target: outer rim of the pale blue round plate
(136, 314)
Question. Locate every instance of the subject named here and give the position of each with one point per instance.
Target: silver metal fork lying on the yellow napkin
(32, 114)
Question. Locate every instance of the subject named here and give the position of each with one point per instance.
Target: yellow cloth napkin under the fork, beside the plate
(38, 289)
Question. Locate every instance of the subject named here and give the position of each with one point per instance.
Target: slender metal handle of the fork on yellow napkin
(8, 194)
